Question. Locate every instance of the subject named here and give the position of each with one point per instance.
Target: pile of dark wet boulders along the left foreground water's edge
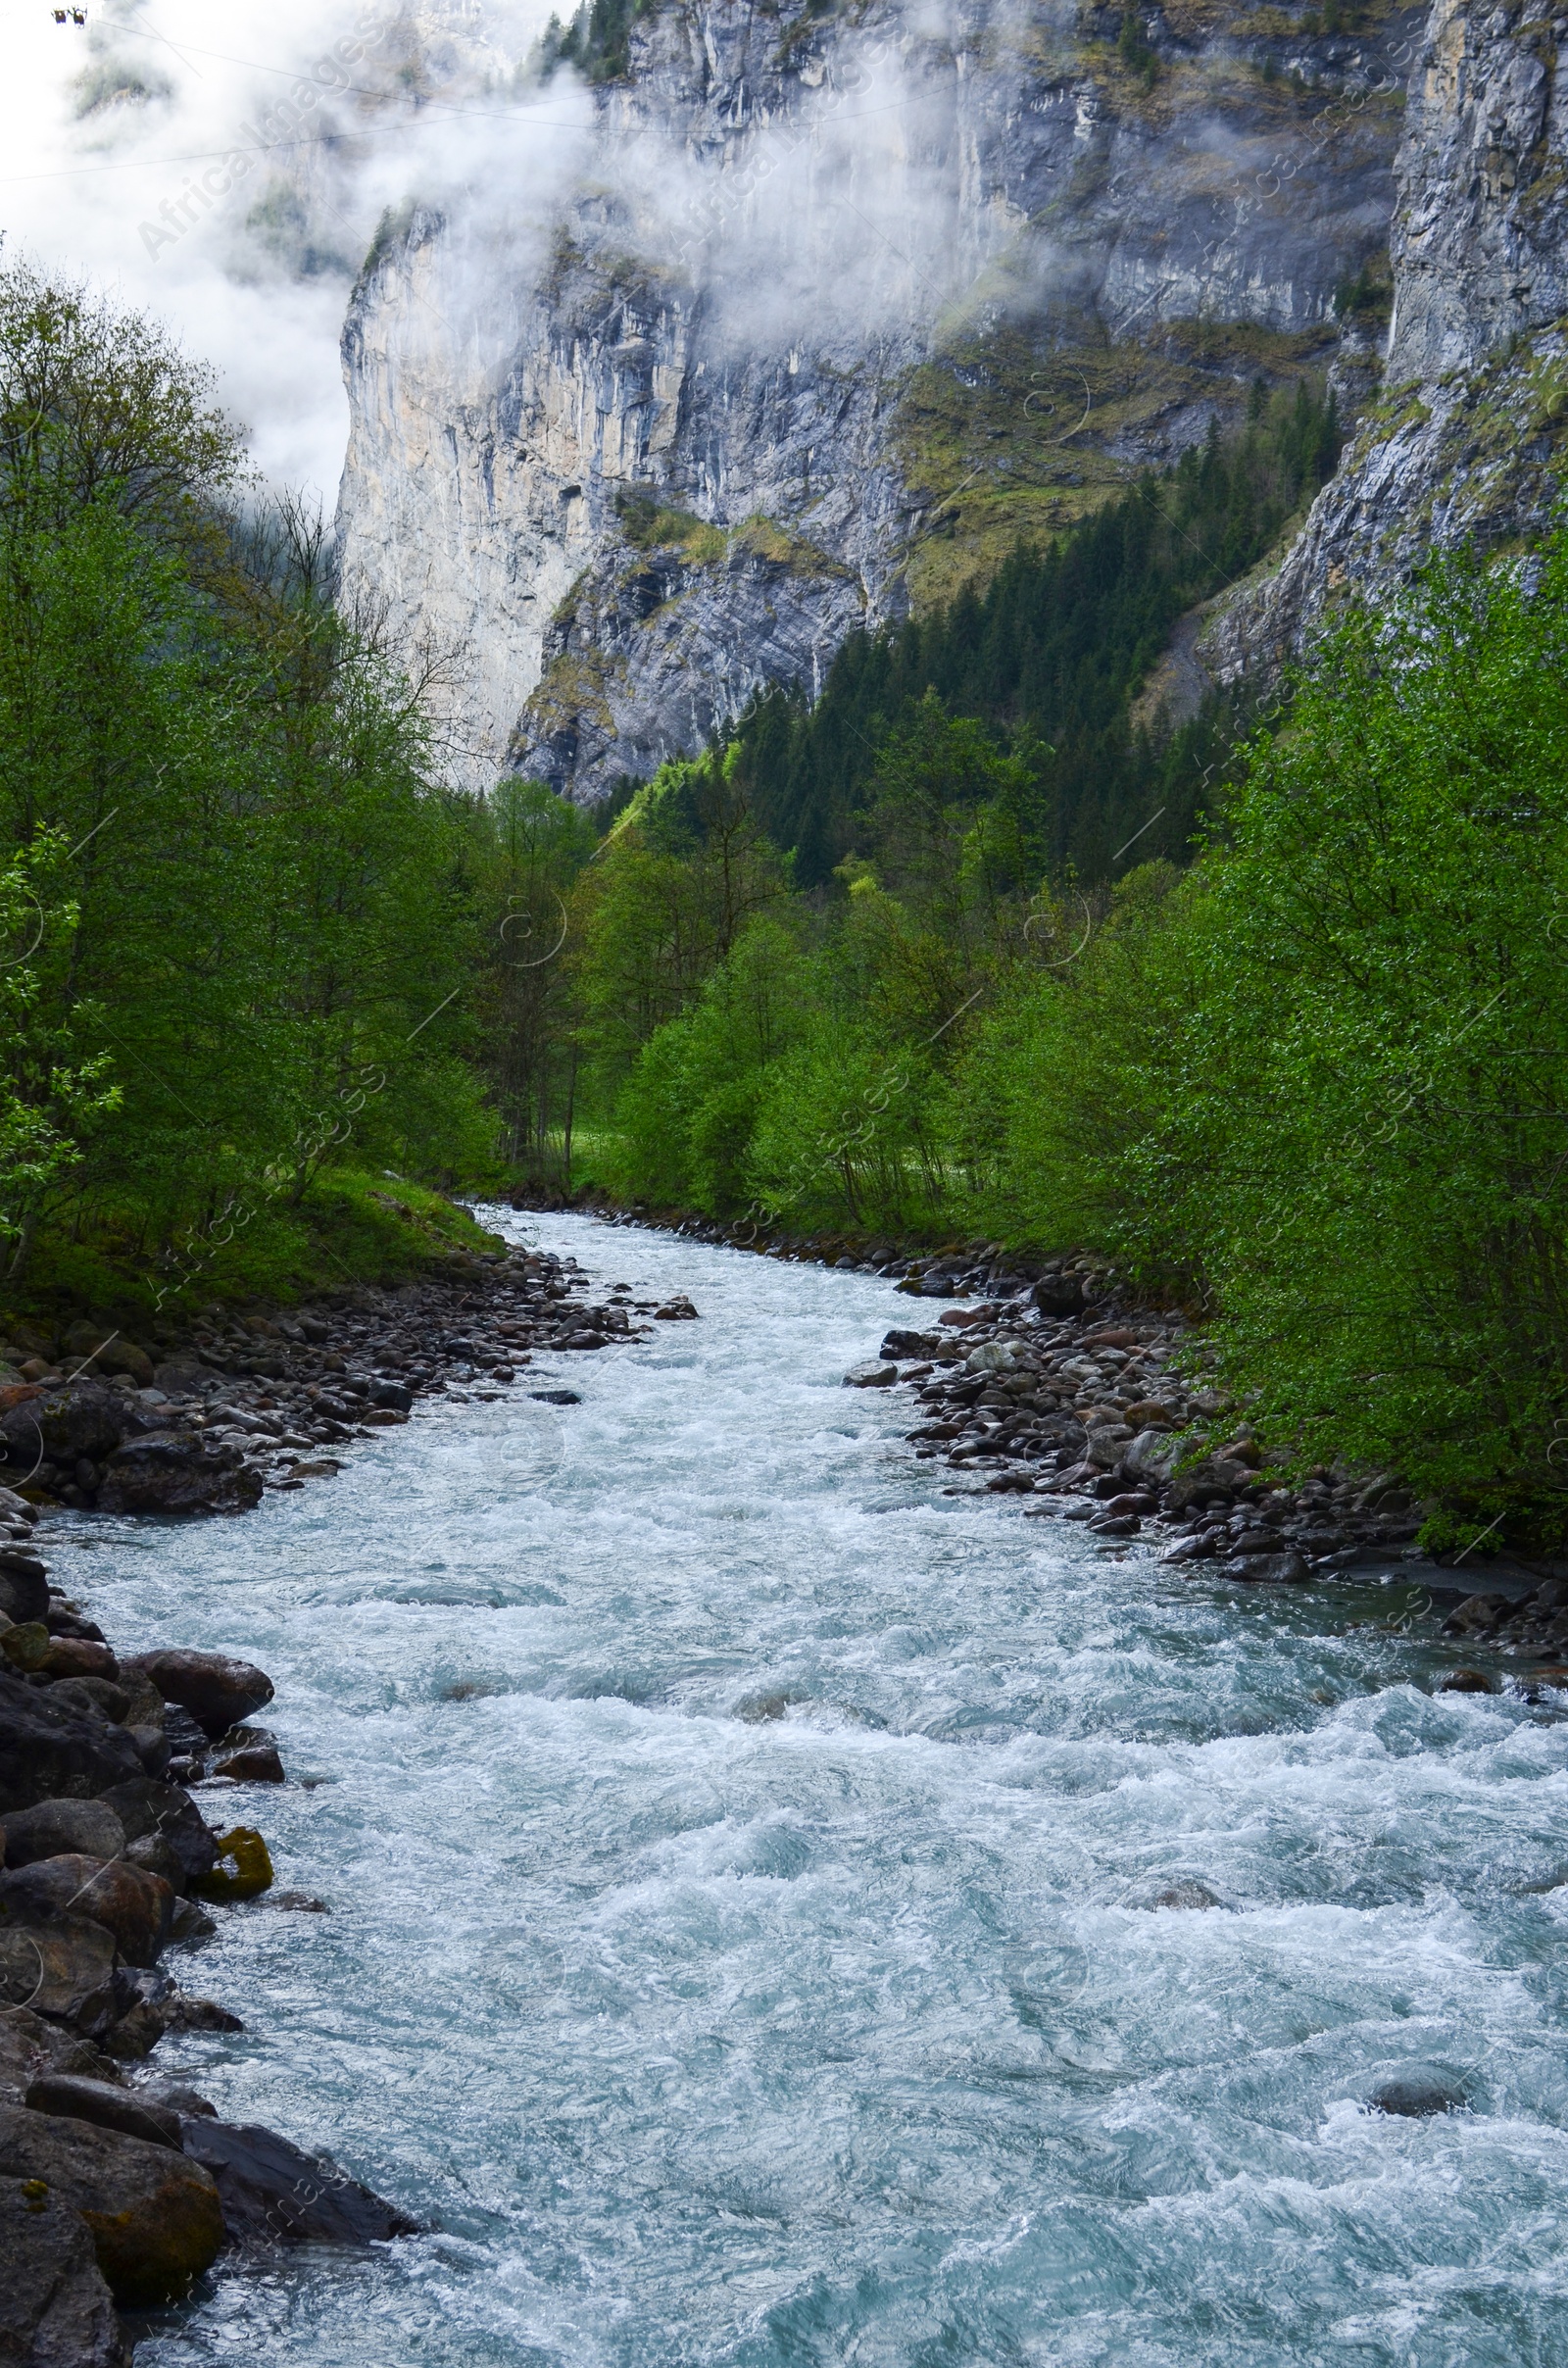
(120, 2189)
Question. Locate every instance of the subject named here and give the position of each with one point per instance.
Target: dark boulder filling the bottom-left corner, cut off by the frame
(56, 2310)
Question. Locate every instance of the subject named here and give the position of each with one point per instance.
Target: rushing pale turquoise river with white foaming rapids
(849, 2033)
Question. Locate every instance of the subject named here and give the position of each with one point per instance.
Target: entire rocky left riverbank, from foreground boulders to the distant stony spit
(120, 2189)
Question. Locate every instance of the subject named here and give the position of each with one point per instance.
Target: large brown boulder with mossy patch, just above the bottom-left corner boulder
(153, 2215)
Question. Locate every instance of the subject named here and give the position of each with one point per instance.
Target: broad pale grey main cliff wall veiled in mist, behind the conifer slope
(657, 453)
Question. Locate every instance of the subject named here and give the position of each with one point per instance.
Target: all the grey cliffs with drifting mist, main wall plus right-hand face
(797, 321)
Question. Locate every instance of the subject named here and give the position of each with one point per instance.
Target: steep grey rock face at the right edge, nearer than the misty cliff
(1472, 425)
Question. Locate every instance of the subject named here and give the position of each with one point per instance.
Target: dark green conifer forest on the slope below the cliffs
(1050, 659)
